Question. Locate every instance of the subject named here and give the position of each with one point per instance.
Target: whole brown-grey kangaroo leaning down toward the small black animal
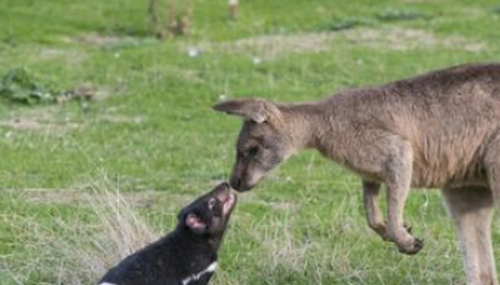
(437, 130)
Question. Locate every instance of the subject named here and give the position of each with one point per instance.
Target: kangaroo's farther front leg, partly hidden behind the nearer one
(374, 216)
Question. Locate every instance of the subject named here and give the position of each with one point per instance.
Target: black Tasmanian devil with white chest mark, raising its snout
(186, 256)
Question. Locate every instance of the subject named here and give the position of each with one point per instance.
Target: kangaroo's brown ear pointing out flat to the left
(257, 110)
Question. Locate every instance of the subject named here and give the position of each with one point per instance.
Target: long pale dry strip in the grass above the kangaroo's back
(393, 38)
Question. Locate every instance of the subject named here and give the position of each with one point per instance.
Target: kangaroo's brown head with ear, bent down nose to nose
(263, 143)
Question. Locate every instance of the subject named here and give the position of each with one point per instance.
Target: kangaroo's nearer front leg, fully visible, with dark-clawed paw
(398, 181)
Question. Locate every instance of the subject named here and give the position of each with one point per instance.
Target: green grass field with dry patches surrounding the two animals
(84, 183)
